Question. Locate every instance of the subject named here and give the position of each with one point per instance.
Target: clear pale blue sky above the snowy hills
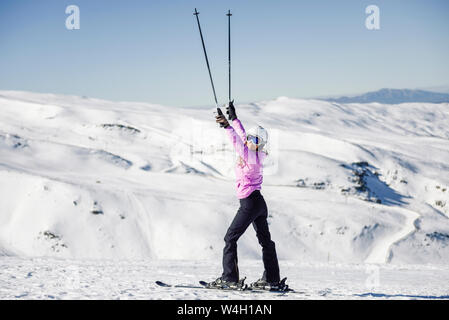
(151, 51)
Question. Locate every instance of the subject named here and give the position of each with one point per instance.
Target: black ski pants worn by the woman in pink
(253, 209)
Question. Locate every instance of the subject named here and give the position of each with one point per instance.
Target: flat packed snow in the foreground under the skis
(51, 278)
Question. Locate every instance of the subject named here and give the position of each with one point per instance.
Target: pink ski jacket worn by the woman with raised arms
(249, 168)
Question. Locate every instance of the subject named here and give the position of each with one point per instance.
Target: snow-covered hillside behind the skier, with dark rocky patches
(88, 178)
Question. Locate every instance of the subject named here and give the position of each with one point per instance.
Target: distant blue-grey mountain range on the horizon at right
(394, 96)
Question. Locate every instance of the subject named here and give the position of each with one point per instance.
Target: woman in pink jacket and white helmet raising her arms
(253, 209)
